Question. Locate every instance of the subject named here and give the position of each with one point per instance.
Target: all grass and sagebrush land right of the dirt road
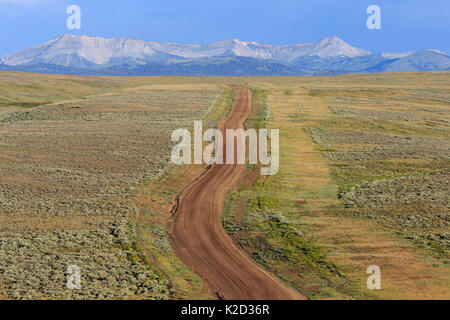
(363, 180)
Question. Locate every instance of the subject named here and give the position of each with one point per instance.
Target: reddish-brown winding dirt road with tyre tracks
(200, 241)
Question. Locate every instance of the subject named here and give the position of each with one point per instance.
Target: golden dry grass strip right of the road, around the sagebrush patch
(408, 272)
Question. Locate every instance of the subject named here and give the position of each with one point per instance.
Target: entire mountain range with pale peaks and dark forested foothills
(82, 55)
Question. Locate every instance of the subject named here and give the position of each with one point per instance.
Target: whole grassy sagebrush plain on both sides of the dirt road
(85, 180)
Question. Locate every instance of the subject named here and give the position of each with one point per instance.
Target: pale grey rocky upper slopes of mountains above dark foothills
(70, 50)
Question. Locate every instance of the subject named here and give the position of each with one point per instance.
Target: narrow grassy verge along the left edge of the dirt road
(155, 202)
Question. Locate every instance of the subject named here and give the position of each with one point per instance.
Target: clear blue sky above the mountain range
(406, 24)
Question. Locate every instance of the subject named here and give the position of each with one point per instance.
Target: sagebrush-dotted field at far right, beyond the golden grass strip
(390, 152)
